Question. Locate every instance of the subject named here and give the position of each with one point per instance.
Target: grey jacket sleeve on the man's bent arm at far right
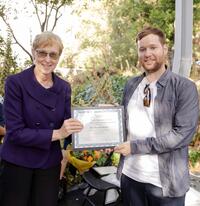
(183, 125)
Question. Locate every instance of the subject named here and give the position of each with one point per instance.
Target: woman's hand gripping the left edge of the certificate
(69, 126)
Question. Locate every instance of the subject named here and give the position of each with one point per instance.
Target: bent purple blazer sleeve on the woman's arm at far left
(16, 129)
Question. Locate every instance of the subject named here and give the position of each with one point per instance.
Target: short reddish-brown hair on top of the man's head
(152, 30)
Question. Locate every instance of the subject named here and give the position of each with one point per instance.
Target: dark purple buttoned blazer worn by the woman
(31, 114)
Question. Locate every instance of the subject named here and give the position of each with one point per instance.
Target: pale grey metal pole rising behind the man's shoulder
(183, 37)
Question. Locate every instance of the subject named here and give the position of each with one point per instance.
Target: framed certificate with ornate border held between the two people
(103, 127)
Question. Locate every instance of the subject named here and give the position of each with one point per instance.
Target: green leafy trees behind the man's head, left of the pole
(127, 17)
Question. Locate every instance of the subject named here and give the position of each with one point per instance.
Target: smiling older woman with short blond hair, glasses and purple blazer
(37, 114)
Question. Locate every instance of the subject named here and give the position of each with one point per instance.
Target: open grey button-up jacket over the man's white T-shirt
(176, 117)
